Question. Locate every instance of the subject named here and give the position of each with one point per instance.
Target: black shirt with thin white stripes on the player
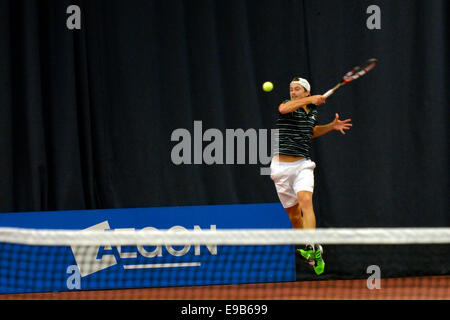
(295, 131)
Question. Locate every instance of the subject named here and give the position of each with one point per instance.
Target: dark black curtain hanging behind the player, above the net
(87, 115)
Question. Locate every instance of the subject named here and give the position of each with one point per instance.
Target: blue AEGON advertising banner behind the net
(60, 268)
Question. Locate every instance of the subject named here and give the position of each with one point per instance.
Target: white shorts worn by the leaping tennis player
(292, 177)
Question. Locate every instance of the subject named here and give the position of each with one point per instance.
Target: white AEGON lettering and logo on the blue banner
(91, 259)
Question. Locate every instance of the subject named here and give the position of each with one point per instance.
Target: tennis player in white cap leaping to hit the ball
(292, 169)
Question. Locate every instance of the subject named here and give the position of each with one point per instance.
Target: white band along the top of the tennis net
(225, 236)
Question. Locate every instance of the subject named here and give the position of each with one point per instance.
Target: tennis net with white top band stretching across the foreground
(367, 263)
